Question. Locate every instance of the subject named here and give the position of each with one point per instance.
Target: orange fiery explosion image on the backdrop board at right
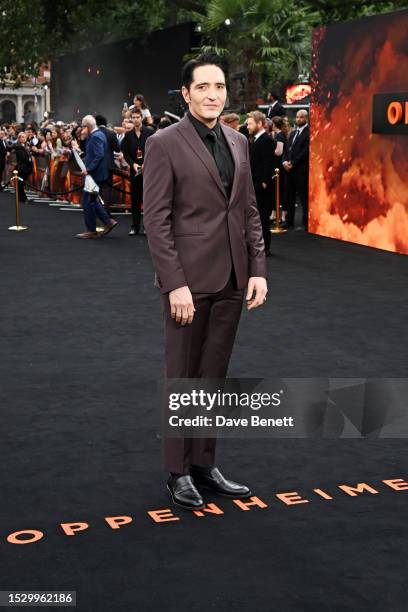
(359, 180)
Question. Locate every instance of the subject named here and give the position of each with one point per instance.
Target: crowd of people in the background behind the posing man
(273, 142)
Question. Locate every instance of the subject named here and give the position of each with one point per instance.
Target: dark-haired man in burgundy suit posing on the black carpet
(205, 238)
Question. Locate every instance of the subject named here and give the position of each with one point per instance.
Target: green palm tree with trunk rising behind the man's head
(267, 38)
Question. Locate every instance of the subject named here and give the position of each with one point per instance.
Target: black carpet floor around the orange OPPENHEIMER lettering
(81, 351)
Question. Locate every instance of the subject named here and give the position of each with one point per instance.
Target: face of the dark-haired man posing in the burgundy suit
(207, 94)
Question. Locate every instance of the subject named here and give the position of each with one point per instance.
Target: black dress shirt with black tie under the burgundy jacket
(218, 148)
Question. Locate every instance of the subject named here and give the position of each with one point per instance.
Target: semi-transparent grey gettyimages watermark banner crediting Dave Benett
(285, 408)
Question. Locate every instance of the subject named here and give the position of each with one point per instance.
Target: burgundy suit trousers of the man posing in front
(200, 350)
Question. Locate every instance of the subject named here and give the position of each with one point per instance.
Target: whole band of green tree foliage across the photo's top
(271, 37)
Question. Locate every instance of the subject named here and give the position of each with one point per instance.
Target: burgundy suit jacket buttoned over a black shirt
(194, 231)
